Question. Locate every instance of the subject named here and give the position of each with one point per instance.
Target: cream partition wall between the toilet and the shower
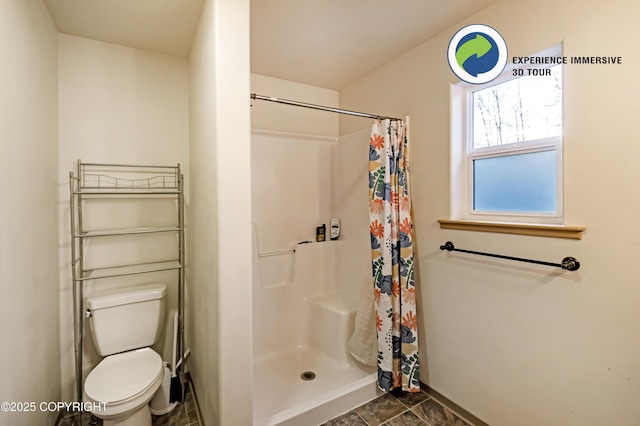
(220, 247)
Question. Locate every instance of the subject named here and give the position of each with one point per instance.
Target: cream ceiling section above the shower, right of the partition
(330, 43)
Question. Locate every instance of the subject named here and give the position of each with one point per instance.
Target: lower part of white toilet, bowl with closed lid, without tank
(122, 386)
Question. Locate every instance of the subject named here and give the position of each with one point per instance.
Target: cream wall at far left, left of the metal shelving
(30, 355)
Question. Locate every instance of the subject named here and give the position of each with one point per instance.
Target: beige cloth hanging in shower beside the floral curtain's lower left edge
(363, 344)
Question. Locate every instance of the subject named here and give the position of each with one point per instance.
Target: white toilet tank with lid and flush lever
(126, 319)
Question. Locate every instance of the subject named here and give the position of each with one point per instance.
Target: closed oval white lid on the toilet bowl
(122, 376)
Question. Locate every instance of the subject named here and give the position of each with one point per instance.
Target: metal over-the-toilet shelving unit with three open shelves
(115, 181)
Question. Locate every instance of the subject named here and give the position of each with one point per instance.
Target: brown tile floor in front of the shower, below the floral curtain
(400, 409)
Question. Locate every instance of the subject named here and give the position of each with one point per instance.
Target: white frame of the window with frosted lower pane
(463, 154)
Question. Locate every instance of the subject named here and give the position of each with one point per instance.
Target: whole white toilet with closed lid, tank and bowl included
(124, 324)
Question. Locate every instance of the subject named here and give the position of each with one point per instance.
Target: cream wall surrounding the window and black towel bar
(518, 344)
